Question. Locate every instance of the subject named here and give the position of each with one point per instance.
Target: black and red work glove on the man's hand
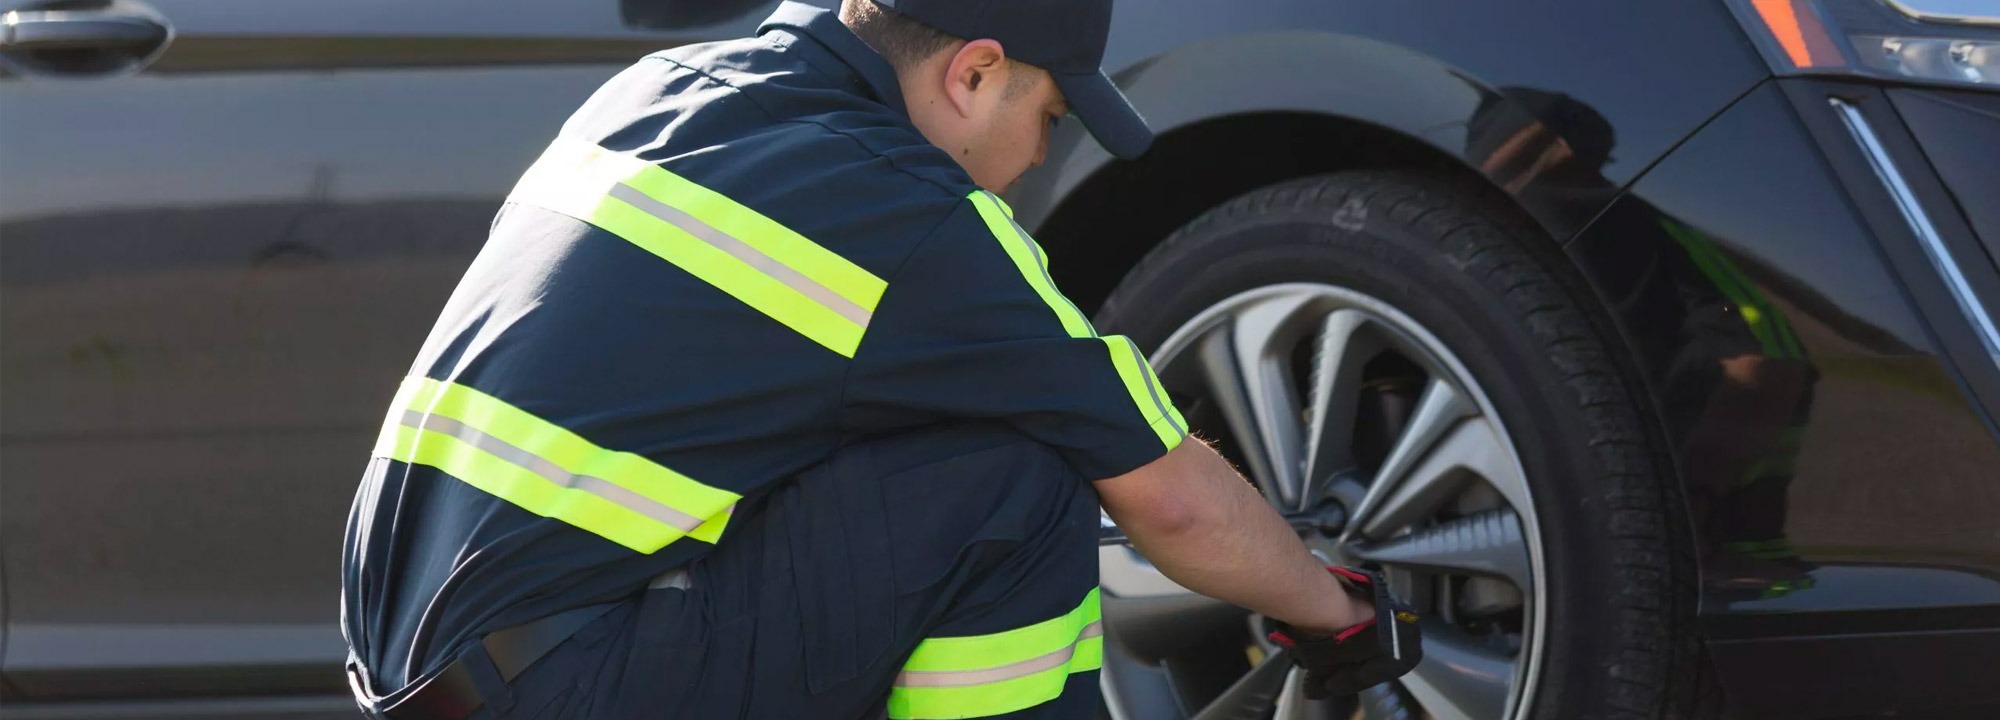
(1355, 659)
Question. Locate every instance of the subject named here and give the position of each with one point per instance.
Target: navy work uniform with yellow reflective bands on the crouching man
(751, 407)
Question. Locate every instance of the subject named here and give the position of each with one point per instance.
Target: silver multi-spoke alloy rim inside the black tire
(1443, 507)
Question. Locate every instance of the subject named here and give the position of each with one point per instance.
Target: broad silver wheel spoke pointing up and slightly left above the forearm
(1251, 373)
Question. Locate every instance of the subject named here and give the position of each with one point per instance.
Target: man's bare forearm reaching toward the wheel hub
(1213, 533)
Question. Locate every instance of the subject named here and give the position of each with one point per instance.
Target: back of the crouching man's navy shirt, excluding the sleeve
(633, 349)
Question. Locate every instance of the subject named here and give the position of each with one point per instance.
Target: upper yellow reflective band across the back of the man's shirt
(731, 247)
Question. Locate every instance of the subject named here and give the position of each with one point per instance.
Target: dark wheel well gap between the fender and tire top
(1115, 217)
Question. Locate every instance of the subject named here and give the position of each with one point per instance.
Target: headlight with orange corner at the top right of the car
(1927, 41)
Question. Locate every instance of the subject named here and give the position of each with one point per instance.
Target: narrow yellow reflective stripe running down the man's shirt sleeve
(1133, 367)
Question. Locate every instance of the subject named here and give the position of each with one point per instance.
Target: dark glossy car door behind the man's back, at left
(215, 265)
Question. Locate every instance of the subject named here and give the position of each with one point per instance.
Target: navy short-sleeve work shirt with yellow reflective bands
(731, 261)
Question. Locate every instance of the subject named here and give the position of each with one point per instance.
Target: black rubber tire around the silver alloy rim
(1621, 637)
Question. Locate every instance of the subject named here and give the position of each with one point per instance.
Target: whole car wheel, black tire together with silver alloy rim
(1421, 389)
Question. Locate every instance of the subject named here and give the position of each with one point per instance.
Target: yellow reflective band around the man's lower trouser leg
(979, 677)
